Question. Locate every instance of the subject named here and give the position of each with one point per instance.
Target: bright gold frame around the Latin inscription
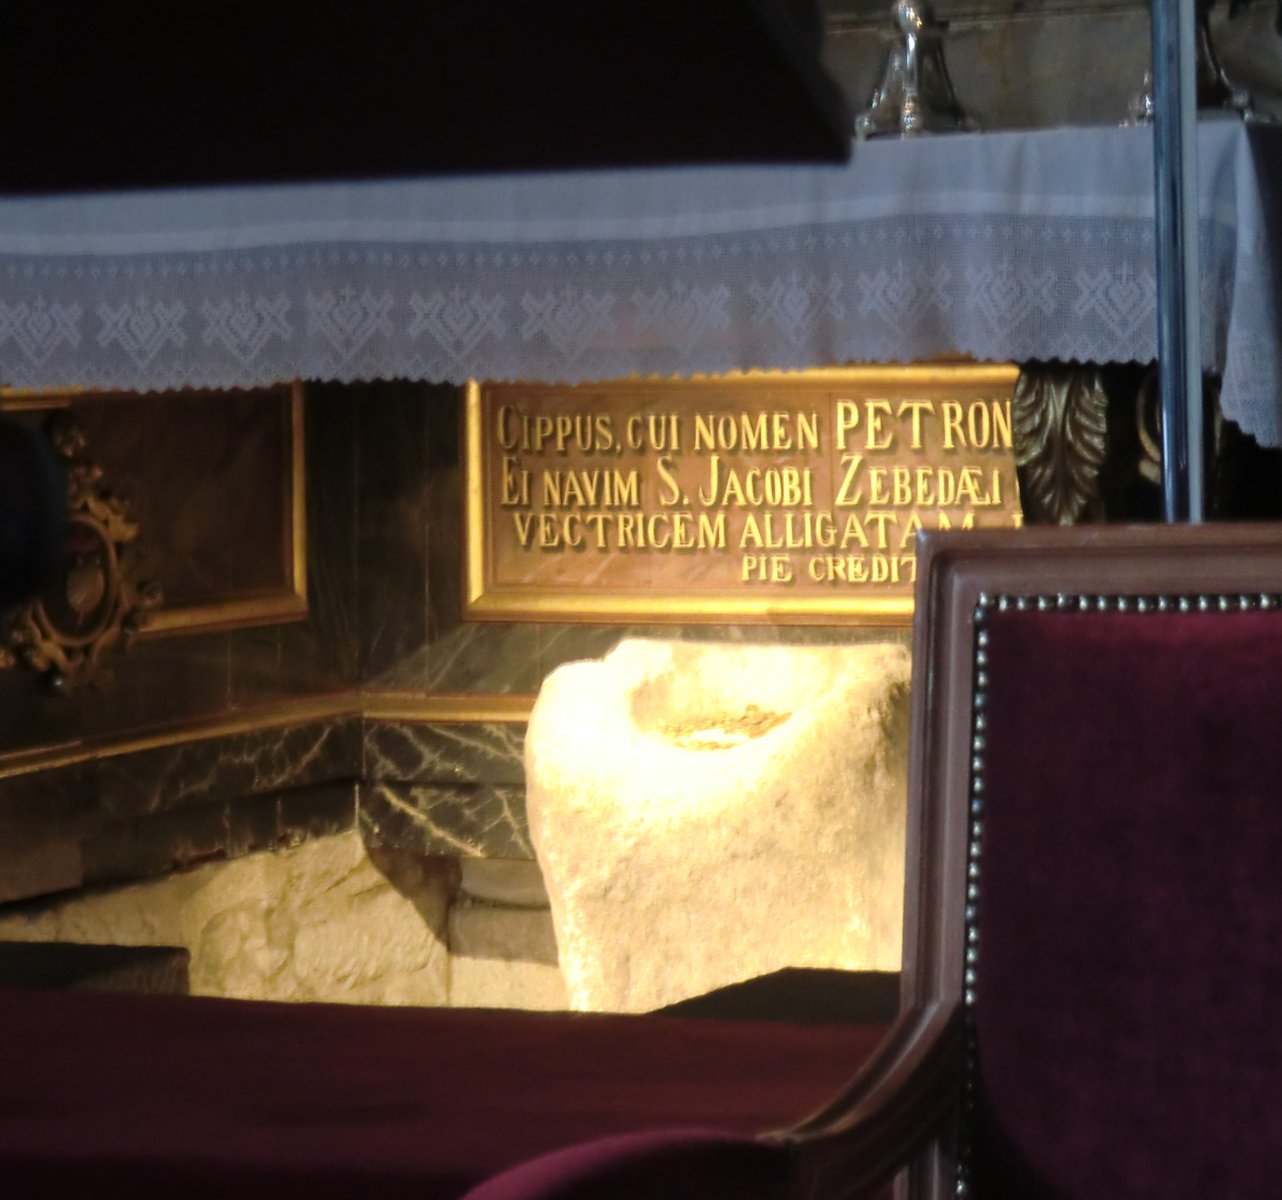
(484, 602)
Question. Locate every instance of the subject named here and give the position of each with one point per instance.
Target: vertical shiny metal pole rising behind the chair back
(1175, 160)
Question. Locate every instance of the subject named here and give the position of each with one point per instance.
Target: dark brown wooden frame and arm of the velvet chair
(901, 1115)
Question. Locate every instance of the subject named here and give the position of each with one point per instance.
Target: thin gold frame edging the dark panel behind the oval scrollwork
(276, 607)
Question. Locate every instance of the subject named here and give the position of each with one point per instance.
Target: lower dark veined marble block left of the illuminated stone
(471, 821)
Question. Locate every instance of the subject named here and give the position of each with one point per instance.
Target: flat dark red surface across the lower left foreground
(179, 1097)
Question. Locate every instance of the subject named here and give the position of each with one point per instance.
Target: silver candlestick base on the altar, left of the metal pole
(916, 93)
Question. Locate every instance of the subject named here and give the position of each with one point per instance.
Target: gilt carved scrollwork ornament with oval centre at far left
(97, 603)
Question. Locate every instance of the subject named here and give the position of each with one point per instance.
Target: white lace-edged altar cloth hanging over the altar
(1011, 246)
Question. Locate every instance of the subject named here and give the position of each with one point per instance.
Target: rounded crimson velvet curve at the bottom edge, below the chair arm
(672, 1165)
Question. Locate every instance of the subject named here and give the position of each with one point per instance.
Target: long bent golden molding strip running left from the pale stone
(412, 708)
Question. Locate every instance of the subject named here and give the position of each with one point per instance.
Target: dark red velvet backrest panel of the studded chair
(1131, 908)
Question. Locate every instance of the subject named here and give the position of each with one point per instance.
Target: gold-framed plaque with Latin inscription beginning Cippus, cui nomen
(792, 498)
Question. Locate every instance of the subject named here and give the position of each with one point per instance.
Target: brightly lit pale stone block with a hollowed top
(706, 813)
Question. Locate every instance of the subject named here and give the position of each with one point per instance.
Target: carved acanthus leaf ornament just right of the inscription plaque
(1060, 425)
